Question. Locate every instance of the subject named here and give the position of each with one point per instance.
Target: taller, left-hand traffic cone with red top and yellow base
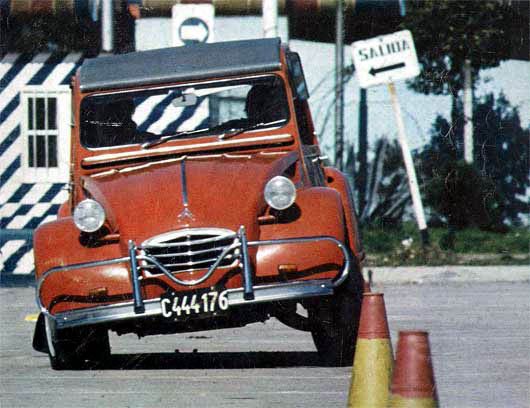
(372, 367)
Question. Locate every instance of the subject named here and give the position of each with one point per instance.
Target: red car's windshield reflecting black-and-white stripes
(185, 111)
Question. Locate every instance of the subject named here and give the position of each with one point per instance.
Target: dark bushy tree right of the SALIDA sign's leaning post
(493, 194)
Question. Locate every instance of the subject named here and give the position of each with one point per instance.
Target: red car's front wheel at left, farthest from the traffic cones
(72, 348)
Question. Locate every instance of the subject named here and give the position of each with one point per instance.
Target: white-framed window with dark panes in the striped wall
(46, 133)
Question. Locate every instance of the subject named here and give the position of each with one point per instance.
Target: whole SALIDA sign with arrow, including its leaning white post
(383, 60)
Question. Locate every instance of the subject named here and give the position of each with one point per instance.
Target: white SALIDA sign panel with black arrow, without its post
(385, 59)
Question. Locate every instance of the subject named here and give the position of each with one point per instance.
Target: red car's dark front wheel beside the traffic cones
(335, 321)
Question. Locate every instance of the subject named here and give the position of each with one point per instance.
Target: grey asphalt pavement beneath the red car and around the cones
(479, 333)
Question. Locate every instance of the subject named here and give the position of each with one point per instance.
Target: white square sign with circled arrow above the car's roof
(192, 23)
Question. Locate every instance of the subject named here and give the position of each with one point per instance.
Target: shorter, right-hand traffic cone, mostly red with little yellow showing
(413, 381)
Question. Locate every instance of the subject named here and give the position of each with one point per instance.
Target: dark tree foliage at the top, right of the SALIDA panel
(447, 32)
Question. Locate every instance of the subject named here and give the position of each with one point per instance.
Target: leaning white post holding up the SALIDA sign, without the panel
(409, 166)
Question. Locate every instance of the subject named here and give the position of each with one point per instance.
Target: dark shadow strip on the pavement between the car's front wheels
(191, 361)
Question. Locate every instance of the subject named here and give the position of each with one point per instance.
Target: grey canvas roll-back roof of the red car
(191, 62)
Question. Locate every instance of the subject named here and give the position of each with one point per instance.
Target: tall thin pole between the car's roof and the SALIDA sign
(339, 90)
